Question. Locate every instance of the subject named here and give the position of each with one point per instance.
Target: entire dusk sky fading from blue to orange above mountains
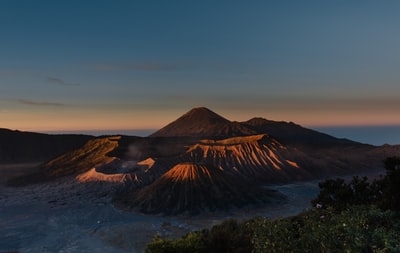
(97, 65)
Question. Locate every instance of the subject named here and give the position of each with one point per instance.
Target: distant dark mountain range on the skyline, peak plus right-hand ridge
(204, 123)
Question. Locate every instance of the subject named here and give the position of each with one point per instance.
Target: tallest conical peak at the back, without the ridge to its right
(203, 123)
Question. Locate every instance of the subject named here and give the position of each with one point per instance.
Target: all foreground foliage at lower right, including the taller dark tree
(359, 216)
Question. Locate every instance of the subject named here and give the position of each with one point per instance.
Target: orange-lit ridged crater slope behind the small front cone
(257, 157)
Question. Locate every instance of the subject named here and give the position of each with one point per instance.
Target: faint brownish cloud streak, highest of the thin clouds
(137, 67)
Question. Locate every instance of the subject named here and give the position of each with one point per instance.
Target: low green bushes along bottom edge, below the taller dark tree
(358, 229)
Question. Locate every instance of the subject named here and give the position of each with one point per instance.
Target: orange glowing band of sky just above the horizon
(146, 120)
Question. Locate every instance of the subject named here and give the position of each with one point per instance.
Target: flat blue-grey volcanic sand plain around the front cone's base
(66, 216)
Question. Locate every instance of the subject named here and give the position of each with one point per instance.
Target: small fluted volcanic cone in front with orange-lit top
(192, 188)
